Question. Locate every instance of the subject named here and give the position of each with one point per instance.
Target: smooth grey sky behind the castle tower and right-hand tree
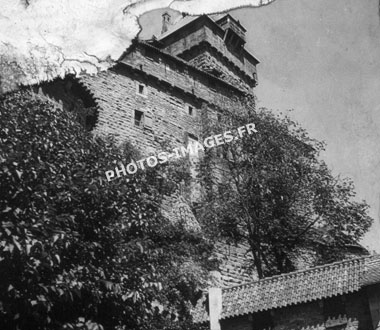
(321, 58)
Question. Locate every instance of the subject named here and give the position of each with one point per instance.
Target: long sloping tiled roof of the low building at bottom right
(296, 288)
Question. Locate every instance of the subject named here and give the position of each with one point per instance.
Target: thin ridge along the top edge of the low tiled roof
(333, 264)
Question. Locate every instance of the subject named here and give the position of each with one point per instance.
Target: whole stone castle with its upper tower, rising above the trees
(159, 88)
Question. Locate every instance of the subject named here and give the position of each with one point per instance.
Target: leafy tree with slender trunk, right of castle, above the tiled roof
(276, 194)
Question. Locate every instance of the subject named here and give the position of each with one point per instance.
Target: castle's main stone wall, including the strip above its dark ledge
(169, 91)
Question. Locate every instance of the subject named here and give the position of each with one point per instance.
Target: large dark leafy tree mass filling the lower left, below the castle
(78, 252)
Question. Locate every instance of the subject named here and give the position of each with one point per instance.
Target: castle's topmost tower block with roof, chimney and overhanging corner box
(215, 45)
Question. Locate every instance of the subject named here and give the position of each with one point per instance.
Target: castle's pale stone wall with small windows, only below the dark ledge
(117, 96)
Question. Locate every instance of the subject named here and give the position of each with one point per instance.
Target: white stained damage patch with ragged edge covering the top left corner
(43, 39)
